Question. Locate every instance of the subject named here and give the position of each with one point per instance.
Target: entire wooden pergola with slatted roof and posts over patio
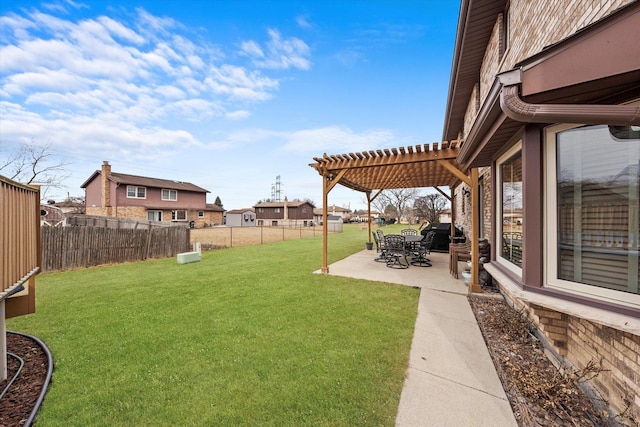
(371, 172)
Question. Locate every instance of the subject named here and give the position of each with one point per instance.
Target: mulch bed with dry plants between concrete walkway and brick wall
(539, 393)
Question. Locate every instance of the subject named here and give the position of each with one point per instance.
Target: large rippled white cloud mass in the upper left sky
(112, 87)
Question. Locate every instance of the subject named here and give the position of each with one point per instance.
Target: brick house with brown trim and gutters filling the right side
(543, 94)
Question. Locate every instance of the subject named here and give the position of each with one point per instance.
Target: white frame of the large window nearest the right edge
(551, 234)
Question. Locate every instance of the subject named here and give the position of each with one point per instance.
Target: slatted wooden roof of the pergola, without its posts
(417, 166)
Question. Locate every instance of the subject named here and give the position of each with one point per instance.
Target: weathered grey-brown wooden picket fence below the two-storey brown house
(64, 248)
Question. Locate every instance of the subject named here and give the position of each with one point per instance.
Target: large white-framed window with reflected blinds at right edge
(593, 205)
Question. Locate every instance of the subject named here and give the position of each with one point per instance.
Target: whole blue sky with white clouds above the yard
(224, 94)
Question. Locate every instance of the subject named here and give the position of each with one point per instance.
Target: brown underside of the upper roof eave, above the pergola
(475, 24)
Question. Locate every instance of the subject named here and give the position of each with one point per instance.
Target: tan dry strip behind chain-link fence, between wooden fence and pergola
(226, 237)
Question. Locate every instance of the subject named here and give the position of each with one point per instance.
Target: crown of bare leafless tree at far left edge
(33, 164)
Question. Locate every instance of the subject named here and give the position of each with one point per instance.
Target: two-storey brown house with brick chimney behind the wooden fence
(129, 196)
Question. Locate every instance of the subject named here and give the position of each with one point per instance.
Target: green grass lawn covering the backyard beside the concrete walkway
(248, 336)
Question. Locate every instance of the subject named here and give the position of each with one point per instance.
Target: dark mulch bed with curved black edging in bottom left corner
(18, 402)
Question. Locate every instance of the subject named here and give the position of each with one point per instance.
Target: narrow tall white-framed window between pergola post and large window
(509, 204)
